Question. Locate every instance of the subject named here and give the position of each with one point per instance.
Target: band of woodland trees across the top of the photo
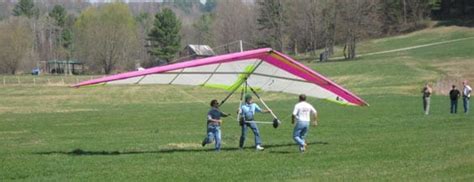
(114, 37)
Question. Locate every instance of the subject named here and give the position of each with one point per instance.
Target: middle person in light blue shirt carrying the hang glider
(247, 112)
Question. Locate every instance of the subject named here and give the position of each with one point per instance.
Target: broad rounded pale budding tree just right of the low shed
(106, 37)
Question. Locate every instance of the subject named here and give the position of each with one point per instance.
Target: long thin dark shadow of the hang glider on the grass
(80, 152)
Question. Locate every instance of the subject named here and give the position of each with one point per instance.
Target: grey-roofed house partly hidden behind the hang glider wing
(193, 51)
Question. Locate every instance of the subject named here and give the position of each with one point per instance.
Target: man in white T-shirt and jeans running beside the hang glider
(302, 114)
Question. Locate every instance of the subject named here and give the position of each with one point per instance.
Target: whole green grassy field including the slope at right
(153, 133)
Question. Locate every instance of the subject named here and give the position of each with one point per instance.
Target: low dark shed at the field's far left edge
(65, 66)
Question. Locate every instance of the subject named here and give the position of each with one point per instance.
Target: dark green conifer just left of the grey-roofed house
(164, 37)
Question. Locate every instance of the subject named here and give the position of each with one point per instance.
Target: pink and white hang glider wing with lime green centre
(265, 69)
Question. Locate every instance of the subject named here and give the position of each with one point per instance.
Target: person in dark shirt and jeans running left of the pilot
(214, 125)
